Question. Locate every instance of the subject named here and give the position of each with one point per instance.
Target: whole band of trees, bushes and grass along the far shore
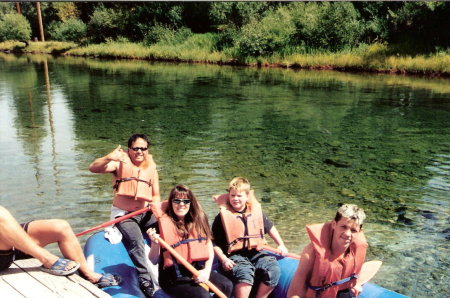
(397, 37)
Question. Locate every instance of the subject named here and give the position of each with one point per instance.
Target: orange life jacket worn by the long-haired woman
(194, 248)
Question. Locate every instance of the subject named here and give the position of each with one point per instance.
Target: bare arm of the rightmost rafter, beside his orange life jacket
(302, 275)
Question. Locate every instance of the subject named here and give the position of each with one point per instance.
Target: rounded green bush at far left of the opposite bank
(14, 27)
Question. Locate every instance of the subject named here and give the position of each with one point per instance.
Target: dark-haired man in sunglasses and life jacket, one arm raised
(136, 185)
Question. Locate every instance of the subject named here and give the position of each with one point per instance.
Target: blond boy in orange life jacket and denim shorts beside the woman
(238, 233)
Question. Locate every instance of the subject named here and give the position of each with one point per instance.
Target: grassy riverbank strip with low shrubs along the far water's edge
(372, 58)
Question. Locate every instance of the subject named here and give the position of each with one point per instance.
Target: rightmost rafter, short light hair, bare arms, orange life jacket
(333, 258)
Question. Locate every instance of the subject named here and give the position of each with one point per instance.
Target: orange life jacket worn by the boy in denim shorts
(243, 230)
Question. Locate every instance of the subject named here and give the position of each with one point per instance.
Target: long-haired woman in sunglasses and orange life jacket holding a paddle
(183, 225)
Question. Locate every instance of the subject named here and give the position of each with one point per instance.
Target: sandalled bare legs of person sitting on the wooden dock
(27, 241)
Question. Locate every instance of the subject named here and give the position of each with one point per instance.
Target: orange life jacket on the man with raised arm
(135, 182)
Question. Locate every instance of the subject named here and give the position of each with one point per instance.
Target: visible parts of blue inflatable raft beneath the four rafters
(113, 258)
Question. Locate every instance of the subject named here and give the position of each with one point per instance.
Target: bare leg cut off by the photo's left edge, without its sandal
(12, 235)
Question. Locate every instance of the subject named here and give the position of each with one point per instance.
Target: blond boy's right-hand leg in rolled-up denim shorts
(268, 272)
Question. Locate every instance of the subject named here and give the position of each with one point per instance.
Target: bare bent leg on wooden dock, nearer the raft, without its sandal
(59, 231)
